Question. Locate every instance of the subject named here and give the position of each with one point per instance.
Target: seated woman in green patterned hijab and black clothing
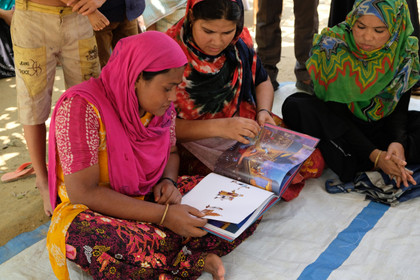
(363, 70)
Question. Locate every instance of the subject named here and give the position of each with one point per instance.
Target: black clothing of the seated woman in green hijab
(308, 114)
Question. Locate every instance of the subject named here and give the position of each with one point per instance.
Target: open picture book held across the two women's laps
(249, 179)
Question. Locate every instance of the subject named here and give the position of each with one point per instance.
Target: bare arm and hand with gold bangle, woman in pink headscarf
(82, 188)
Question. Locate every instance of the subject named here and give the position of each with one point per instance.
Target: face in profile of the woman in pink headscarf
(155, 95)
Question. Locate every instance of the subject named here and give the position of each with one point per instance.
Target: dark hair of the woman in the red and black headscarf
(219, 9)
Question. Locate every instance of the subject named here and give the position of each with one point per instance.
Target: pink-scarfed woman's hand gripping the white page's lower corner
(185, 220)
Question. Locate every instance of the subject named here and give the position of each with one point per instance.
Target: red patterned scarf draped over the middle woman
(187, 107)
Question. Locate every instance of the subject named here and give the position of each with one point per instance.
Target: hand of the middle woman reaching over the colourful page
(239, 129)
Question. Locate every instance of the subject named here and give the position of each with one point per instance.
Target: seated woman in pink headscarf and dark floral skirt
(113, 168)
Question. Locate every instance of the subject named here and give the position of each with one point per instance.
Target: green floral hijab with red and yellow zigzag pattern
(370, 82)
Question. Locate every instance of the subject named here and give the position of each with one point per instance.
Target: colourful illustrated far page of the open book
(270, 161)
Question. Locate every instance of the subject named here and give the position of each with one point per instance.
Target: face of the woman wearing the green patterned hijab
(370, 33)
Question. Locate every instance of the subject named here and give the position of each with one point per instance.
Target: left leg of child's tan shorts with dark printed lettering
(35, 62)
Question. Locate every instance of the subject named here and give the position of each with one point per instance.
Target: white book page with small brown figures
(225, 199)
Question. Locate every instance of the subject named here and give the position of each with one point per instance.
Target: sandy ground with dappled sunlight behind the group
(21, 207)
